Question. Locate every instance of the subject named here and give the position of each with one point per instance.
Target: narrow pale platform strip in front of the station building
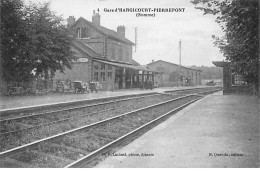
(7, 102)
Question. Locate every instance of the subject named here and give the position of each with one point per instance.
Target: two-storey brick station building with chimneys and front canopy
(104, 56)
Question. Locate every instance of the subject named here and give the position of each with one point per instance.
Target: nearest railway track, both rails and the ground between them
(62, 149)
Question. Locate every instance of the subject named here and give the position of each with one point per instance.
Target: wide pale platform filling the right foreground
(217, 131)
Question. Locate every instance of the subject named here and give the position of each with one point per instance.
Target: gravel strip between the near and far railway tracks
(13, 140)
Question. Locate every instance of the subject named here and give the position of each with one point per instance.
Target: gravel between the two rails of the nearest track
(94, 138)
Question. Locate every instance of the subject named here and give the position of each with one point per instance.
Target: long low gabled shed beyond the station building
(174, 75)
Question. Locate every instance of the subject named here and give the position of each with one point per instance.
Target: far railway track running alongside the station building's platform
(55, 116)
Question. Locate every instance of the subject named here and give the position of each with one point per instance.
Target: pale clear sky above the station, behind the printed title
(159, 36)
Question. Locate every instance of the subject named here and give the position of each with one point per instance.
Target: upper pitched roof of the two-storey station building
(106, 31)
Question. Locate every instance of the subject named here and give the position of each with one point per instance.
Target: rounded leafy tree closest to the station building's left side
(49, 43)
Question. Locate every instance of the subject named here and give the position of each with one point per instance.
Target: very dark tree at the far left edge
(13, 40)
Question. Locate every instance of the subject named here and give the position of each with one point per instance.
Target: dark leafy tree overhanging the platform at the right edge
(240, 44)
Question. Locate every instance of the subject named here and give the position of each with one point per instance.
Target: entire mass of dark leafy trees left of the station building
(34, 41)
